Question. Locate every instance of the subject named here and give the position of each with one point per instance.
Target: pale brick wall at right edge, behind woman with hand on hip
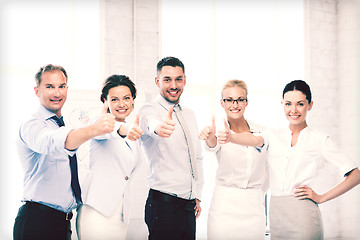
(332, 58)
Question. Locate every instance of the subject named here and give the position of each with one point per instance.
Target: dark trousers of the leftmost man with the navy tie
(37, 221)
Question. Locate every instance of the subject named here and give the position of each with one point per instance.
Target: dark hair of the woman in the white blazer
(117, 80)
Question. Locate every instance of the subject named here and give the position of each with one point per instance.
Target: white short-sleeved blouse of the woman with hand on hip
(290, 167)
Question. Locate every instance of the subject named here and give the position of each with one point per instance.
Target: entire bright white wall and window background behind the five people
(93, 40)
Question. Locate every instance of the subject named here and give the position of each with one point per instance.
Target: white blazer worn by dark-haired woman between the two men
(113, 160)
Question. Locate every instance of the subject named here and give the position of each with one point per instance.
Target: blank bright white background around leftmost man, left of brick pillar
(33, 34)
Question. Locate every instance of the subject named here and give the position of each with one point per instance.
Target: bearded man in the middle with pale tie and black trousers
(174, 154)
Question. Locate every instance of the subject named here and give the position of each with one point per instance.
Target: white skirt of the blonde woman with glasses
(236, 214)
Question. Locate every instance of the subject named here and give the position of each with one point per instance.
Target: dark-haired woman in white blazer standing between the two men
(113, 160)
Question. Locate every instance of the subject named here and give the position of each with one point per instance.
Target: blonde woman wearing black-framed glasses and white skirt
(237, 208)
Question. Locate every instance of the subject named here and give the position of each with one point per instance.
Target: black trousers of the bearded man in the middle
(169, 217)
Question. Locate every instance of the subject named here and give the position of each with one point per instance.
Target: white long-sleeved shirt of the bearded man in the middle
(169, 160)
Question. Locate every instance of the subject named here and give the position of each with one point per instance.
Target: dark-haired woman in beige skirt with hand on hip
(295, 156)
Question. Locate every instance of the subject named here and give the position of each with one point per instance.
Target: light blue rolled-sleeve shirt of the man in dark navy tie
(41, 147)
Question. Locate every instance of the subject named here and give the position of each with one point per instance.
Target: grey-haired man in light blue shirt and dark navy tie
(46, 150)
